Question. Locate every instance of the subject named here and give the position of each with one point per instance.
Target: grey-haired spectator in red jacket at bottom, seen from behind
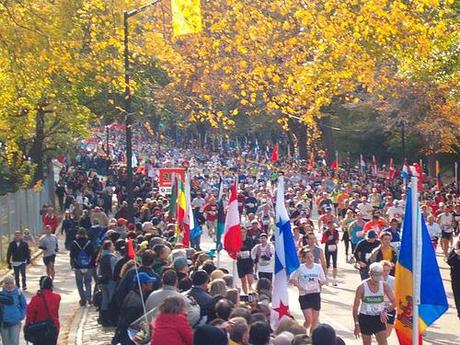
(171, 327)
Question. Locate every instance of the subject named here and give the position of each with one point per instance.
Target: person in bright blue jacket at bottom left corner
(12, 314)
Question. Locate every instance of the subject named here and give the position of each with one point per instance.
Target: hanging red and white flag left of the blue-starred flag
(232, 230)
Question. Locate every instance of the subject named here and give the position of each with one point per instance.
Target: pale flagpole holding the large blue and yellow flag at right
(416, 259)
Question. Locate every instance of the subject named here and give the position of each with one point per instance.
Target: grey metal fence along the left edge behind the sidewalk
(21, 210)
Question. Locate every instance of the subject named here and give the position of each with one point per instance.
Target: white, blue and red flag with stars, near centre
(286, 259)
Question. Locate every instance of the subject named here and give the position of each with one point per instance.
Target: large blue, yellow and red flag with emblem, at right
(432, 299)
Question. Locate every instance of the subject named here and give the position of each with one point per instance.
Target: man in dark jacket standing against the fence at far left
(18, 256)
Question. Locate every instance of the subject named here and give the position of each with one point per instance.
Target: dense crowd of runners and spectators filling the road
(182, 293)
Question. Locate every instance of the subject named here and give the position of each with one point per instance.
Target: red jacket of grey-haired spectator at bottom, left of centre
(171, 329)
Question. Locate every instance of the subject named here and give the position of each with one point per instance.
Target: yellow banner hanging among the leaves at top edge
(186, 15)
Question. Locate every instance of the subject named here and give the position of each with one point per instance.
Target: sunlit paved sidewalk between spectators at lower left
(64, 284)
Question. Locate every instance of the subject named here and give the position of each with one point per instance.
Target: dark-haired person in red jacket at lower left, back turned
(44, 306)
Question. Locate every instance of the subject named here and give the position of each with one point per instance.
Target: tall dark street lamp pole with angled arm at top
(129, 114)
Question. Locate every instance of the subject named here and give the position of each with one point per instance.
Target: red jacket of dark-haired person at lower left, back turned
(36, 310)
